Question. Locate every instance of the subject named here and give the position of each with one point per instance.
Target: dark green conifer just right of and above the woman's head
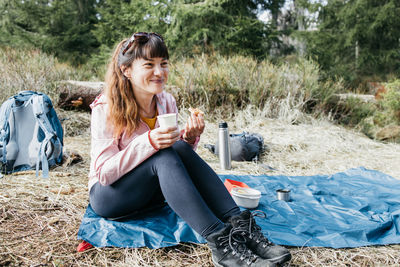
(227, 26)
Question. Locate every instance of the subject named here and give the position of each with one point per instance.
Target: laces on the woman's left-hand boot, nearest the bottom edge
(237, 244)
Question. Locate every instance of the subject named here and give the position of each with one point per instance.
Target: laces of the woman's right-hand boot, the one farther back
(250, 227)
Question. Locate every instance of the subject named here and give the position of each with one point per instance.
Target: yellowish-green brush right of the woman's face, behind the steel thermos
(218, 82)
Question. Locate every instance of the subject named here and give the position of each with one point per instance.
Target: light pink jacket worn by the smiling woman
(112, 158)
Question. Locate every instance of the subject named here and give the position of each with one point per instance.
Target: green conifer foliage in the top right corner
(357, 38)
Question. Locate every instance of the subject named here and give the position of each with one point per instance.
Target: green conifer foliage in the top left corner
(59, 27)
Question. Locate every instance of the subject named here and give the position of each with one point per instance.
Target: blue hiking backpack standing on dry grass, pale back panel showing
(31, 135)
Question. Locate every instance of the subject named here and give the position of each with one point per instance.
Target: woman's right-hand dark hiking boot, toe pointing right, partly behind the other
(246, 225)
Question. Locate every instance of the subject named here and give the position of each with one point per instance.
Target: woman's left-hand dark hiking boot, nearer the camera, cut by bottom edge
(229, 250)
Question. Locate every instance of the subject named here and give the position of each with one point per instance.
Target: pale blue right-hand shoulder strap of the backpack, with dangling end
(44, 124)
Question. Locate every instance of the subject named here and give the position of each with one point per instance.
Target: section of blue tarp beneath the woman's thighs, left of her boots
(157, 229)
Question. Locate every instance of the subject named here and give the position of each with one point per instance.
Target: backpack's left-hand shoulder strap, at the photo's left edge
(5, 111)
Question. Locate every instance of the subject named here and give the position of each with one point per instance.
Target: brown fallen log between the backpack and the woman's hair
(78, 95)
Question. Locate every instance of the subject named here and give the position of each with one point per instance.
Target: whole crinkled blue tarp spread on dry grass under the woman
(358, 207)
